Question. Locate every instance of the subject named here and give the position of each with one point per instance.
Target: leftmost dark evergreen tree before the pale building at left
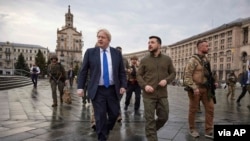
(21, 66)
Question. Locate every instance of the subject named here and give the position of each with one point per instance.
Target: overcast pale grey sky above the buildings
(130, 22)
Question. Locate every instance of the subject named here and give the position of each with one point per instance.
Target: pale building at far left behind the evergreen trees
(9, 53)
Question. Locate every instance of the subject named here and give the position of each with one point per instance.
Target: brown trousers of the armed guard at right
(208, 103)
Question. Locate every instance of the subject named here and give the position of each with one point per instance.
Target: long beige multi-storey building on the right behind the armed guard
(229, 48)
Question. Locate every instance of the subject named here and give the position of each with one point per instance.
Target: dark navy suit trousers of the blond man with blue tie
(106, 106)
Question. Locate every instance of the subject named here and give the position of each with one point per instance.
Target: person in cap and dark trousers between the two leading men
(133, 85)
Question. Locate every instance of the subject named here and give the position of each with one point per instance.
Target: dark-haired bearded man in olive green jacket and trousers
(155, 71)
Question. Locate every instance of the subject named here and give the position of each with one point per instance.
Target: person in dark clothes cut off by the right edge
(245, 84)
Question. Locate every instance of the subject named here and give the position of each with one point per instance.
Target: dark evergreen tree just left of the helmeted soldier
(41, 62)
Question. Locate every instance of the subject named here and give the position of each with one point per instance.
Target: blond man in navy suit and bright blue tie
(107, 81)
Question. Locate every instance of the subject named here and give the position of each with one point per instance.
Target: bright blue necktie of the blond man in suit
(105, 69)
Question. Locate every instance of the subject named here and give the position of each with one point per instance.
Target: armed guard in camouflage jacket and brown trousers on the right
(196, 81)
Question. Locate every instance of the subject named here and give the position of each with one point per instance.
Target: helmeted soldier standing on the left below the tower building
(57, 78)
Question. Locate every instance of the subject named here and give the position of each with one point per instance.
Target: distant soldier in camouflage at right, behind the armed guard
(231, 82)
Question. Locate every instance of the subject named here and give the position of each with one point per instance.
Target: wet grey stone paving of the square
(26, 115)
